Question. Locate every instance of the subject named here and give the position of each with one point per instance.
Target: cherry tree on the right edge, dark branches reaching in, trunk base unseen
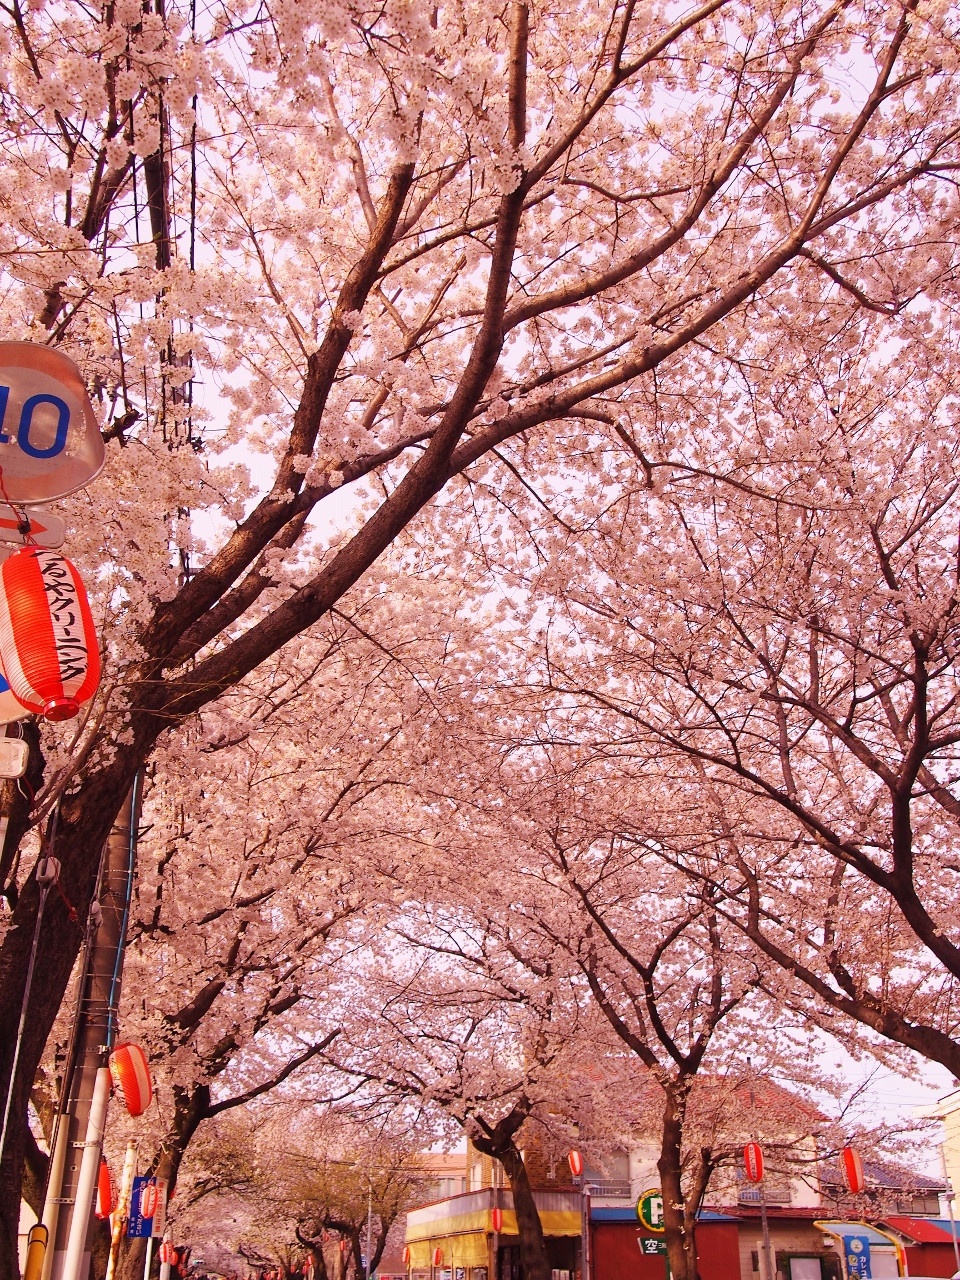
(817, 707)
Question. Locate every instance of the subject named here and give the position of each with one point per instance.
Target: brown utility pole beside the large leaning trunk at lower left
(83, 1116)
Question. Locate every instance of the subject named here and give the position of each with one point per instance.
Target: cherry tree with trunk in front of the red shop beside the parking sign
(638, 952)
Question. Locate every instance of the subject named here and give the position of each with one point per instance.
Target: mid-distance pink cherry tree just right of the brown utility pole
(232, 956)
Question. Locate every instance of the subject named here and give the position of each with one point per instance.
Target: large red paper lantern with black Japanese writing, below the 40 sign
(48, 642)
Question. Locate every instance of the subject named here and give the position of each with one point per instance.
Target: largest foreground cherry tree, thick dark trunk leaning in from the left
(410, 246)
